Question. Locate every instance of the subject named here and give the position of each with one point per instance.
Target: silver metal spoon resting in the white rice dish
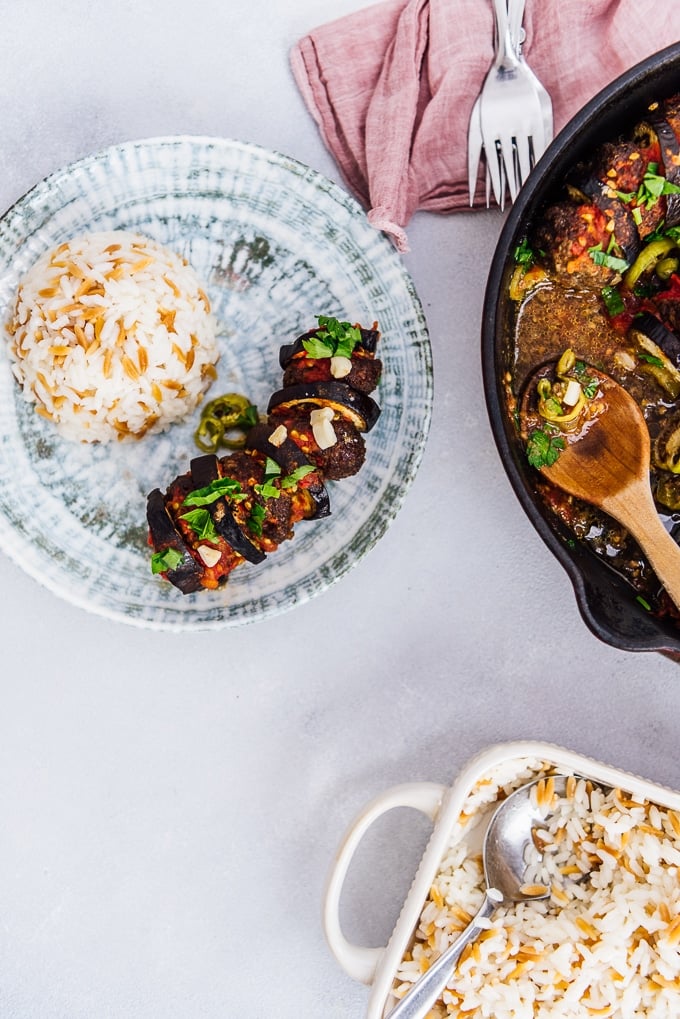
(508, 838)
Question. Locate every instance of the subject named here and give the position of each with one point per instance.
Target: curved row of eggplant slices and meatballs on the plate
(230, 510)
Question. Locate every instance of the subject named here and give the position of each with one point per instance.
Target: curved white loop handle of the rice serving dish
(359, 962)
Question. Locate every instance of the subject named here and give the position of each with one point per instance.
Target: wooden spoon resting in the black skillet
(606, 462)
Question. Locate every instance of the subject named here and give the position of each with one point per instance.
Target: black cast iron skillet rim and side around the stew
(607, 604)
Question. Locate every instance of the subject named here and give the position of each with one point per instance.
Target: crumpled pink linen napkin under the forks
(392, 87)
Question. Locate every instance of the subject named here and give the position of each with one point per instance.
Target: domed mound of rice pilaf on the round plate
(113, 338)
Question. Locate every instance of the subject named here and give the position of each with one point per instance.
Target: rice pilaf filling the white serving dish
(606, 944)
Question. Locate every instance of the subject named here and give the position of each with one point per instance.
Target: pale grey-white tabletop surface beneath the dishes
(170, 805)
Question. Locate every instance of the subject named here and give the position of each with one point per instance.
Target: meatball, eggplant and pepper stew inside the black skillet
(600, 273)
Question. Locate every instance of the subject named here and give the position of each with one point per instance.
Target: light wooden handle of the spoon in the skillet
(635, 509)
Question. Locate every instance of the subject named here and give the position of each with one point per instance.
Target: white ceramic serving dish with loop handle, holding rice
(443, 805)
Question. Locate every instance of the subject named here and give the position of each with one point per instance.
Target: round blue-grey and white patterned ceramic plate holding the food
(277, 245)
